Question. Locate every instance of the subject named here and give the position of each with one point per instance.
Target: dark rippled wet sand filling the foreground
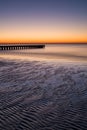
(42, 96)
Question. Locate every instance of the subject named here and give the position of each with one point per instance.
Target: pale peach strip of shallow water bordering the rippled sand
(40, 59)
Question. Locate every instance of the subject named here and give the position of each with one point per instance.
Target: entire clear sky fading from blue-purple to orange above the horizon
(43, 21)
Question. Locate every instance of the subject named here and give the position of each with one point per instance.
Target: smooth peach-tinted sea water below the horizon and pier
(51, 52)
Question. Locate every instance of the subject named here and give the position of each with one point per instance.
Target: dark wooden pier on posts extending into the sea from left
(20, 47)
